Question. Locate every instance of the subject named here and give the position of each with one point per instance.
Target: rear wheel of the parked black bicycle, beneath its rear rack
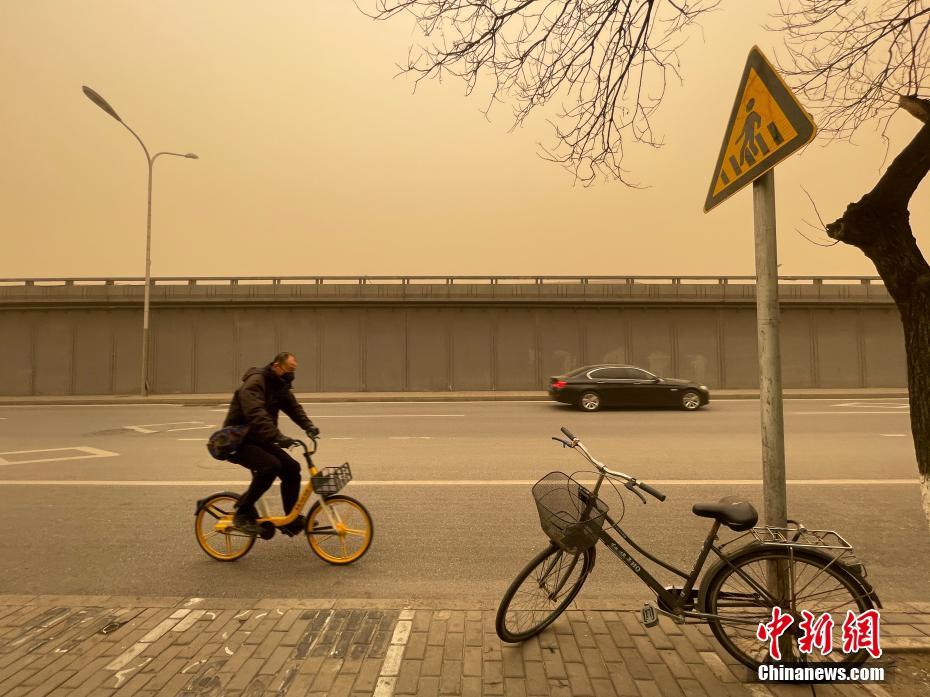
(739, 593)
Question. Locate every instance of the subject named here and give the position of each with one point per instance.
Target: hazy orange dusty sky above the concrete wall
(317, 159)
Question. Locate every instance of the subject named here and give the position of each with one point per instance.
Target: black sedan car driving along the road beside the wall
(595, 386)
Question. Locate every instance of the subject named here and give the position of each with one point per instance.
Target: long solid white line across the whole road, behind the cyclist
(450, 482)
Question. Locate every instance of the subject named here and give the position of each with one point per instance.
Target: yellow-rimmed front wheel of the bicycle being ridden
(339, 529)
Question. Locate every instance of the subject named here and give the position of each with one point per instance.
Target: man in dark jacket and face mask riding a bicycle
(263, 393)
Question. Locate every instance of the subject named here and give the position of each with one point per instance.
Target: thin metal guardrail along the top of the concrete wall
(407, 280)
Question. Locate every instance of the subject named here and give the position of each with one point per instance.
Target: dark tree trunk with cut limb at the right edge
(879, 225)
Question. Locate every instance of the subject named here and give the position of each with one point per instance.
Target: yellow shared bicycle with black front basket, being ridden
(339, 528)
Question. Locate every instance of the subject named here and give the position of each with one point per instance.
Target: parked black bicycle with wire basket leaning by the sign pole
(792, 568)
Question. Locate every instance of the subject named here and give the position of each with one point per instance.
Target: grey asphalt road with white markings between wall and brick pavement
(448, 485)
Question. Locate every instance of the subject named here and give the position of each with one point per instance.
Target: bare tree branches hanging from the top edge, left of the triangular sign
(604, 63)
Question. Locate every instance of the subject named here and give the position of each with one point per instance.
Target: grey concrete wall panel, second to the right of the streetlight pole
(215, 368)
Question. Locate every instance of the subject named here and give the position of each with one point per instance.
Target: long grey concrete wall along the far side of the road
(87, 340)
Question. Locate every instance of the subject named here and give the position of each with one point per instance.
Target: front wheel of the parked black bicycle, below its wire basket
(541, 592)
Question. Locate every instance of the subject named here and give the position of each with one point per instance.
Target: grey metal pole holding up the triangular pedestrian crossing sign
(770, 396)
